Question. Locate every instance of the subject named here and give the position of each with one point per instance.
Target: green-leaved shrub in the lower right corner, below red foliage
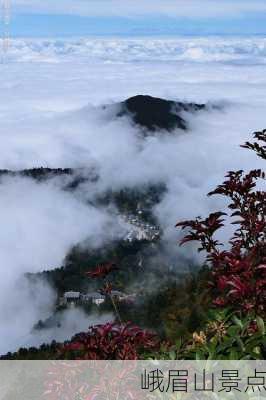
(225, 337)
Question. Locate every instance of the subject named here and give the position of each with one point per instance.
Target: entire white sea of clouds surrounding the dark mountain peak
(51, 115)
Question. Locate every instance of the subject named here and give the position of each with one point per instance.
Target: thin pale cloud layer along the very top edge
(130, 8)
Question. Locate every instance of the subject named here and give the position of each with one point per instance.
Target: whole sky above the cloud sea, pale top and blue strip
(138, 17)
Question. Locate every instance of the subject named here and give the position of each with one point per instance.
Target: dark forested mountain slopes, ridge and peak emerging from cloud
(140, 256)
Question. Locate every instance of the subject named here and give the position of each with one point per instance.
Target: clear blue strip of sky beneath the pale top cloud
(65, 23)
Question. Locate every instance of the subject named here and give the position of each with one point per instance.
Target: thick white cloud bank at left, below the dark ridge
(40, 223)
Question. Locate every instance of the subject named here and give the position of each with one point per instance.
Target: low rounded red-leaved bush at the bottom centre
(109, 342)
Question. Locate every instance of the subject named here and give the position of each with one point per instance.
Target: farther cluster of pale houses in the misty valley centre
(141, 230)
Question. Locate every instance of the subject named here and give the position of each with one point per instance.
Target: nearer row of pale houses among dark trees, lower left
(76, 298)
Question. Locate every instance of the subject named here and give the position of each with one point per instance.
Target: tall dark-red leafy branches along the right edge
(239, 274)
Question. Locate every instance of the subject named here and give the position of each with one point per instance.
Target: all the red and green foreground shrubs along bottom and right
(235, 327)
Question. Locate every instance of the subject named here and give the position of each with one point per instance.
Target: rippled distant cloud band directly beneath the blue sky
(228, 50)
